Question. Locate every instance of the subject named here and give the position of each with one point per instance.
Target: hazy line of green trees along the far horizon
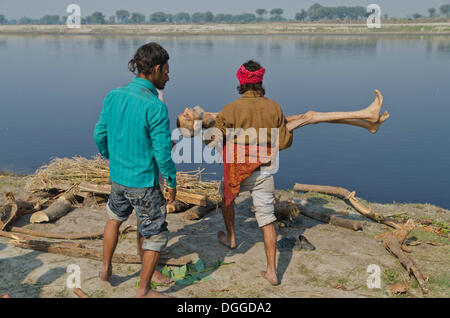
(314, 13)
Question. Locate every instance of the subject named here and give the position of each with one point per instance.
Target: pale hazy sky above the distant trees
(14, 9)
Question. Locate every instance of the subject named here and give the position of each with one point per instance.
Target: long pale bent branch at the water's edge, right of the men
(350, 196)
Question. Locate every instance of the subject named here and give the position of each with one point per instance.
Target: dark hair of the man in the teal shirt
(148, 56)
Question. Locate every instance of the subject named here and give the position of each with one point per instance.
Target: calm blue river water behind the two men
(52, 88)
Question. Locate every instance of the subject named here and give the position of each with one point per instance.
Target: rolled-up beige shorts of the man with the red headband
(262, 190)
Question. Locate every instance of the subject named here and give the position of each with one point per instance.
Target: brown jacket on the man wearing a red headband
(252, 110)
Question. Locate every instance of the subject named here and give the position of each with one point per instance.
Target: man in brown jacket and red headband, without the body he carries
(263, 118)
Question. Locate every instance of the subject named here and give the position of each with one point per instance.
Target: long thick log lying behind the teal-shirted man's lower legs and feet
(79, 251)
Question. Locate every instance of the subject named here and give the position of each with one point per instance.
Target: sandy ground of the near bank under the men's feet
(341, 256)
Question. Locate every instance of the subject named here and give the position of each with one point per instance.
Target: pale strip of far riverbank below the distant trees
(442, 28)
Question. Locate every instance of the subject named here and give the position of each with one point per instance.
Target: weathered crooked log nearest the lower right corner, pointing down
(393, 242)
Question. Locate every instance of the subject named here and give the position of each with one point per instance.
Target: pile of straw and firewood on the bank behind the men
(86, 182)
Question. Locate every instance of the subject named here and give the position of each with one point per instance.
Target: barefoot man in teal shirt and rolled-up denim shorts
(133, 133)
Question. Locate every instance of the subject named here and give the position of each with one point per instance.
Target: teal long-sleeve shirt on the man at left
(133, 132)
